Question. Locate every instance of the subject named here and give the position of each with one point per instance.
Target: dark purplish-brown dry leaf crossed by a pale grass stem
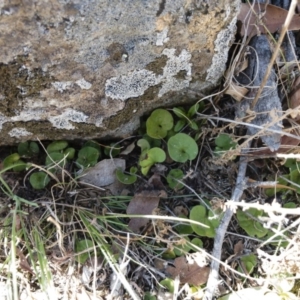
(142, 204)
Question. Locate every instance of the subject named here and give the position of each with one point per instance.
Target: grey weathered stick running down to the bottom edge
(213, 278)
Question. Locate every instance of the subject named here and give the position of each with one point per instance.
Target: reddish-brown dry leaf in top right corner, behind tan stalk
(271, 19)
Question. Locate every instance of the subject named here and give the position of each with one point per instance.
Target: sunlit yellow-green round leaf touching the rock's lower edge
(158, 124)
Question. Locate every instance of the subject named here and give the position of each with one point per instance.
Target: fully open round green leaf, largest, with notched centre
(182, 147)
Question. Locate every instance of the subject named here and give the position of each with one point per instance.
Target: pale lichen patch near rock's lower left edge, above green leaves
(63, 121)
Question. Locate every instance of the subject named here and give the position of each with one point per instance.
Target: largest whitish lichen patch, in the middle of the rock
(136, 83)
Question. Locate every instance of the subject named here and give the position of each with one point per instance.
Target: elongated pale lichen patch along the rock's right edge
(222, 44)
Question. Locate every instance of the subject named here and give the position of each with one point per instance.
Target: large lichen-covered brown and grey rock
(89, 69)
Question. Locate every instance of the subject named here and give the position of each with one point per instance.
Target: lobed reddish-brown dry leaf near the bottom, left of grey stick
(188, 273)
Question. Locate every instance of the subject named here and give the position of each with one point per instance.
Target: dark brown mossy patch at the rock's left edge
(18, 82)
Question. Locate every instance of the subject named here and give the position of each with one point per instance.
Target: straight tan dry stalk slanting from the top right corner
(275, 53)
